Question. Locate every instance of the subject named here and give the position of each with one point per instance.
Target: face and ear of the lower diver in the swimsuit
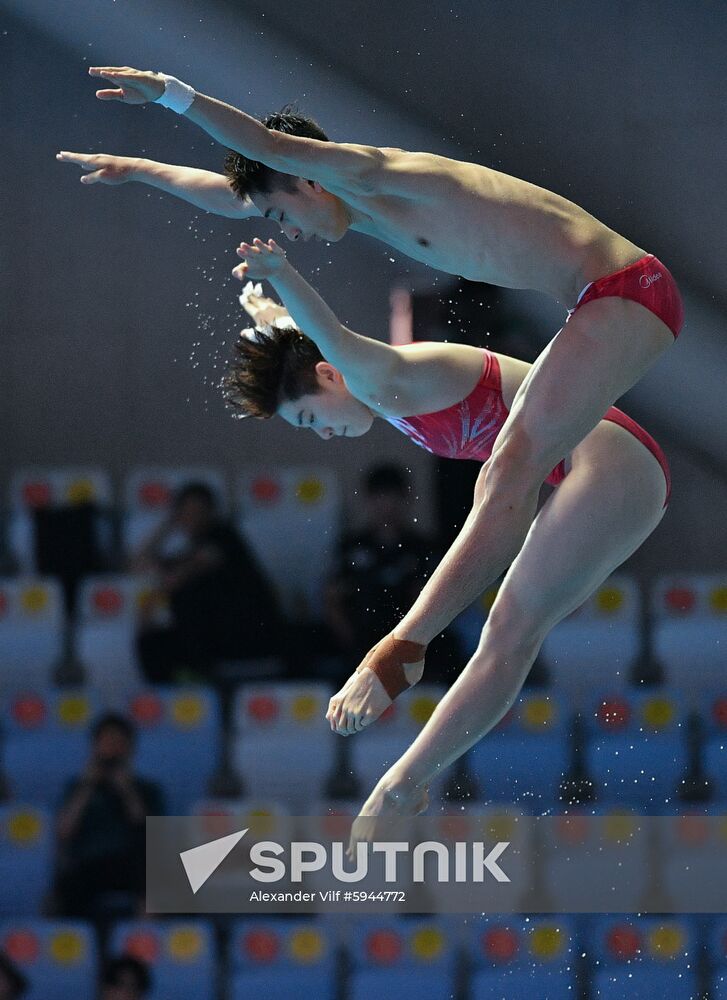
(330, 412)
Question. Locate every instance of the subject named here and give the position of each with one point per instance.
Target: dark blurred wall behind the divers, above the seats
(118, 310)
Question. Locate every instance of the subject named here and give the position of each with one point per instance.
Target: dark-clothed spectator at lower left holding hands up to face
(101, 827)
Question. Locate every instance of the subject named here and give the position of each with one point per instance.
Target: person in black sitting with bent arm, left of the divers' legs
(221, 605)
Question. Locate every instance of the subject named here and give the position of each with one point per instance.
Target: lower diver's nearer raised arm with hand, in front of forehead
(371, 368)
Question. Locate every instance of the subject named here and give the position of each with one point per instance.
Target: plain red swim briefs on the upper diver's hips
(646, 281)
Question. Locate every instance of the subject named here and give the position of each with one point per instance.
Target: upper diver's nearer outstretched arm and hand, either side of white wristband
(342, 164)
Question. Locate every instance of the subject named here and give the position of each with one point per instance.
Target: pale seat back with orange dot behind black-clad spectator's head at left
(148, 493)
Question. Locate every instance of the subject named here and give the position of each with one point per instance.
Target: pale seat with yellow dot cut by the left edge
(32, 624)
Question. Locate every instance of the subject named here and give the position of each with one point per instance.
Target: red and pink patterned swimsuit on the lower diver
(468, 429)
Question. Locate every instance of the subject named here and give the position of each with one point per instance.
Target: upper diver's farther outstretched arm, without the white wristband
(202, 188)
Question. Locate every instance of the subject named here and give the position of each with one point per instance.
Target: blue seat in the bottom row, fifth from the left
(512, 958)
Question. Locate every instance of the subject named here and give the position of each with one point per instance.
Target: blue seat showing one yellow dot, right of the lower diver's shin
(535, 729)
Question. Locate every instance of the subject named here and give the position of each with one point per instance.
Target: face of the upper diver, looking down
(304, 211)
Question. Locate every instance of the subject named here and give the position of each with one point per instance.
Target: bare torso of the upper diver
(469, 220)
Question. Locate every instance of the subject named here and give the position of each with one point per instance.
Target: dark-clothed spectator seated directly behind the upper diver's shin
(380, 571)
